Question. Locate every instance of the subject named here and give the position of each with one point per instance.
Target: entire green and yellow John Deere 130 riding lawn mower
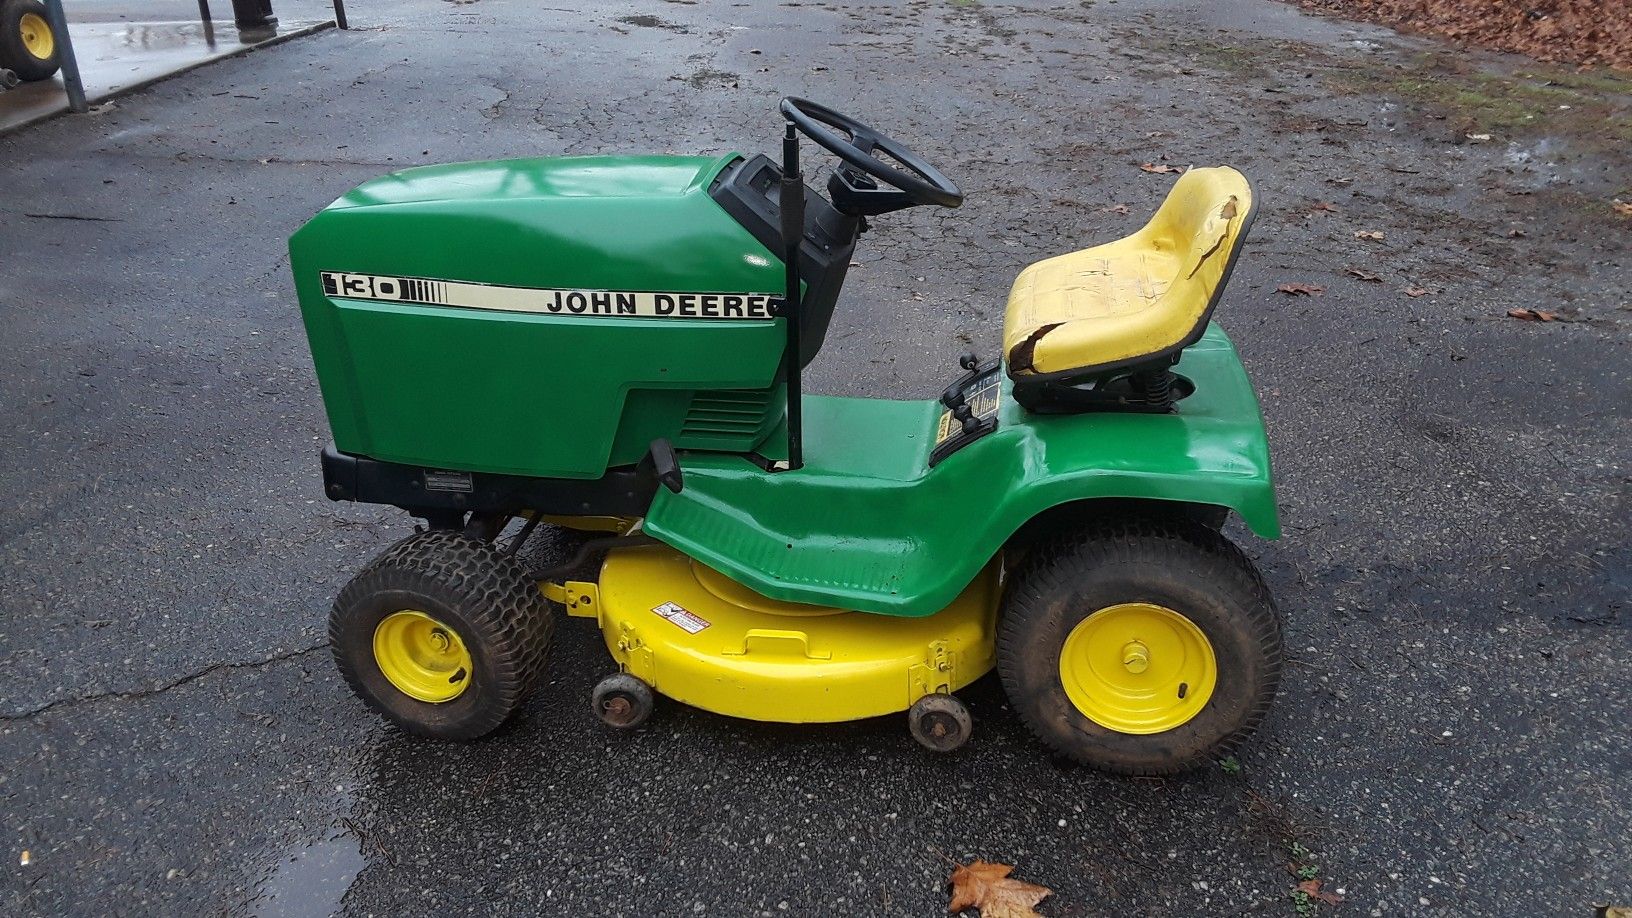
(616, 345)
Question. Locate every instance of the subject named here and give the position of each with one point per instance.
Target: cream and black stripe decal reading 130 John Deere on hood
(641, 305)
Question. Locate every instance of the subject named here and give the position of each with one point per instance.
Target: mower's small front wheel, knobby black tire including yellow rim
(441, 635)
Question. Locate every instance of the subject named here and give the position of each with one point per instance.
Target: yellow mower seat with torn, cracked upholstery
(1133, 301)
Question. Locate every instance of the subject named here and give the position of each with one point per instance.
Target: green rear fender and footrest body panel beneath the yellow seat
(867, 524)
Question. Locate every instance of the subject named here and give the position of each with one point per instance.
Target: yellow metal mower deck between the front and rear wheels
(707, 641)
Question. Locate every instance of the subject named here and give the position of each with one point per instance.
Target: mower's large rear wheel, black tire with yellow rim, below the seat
(1143, 648)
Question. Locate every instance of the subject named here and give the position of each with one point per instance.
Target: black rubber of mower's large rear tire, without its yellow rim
(1182, 566)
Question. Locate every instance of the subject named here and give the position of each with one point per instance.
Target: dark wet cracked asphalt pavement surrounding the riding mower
(1452, 738)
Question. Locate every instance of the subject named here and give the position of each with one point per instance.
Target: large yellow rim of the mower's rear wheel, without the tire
(1138, 669)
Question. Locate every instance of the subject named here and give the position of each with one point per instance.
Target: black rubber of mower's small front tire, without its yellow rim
(468, 586)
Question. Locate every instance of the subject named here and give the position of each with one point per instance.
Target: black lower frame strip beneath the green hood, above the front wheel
(437, 492)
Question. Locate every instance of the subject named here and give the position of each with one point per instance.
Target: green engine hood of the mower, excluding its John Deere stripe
(534, 394)
